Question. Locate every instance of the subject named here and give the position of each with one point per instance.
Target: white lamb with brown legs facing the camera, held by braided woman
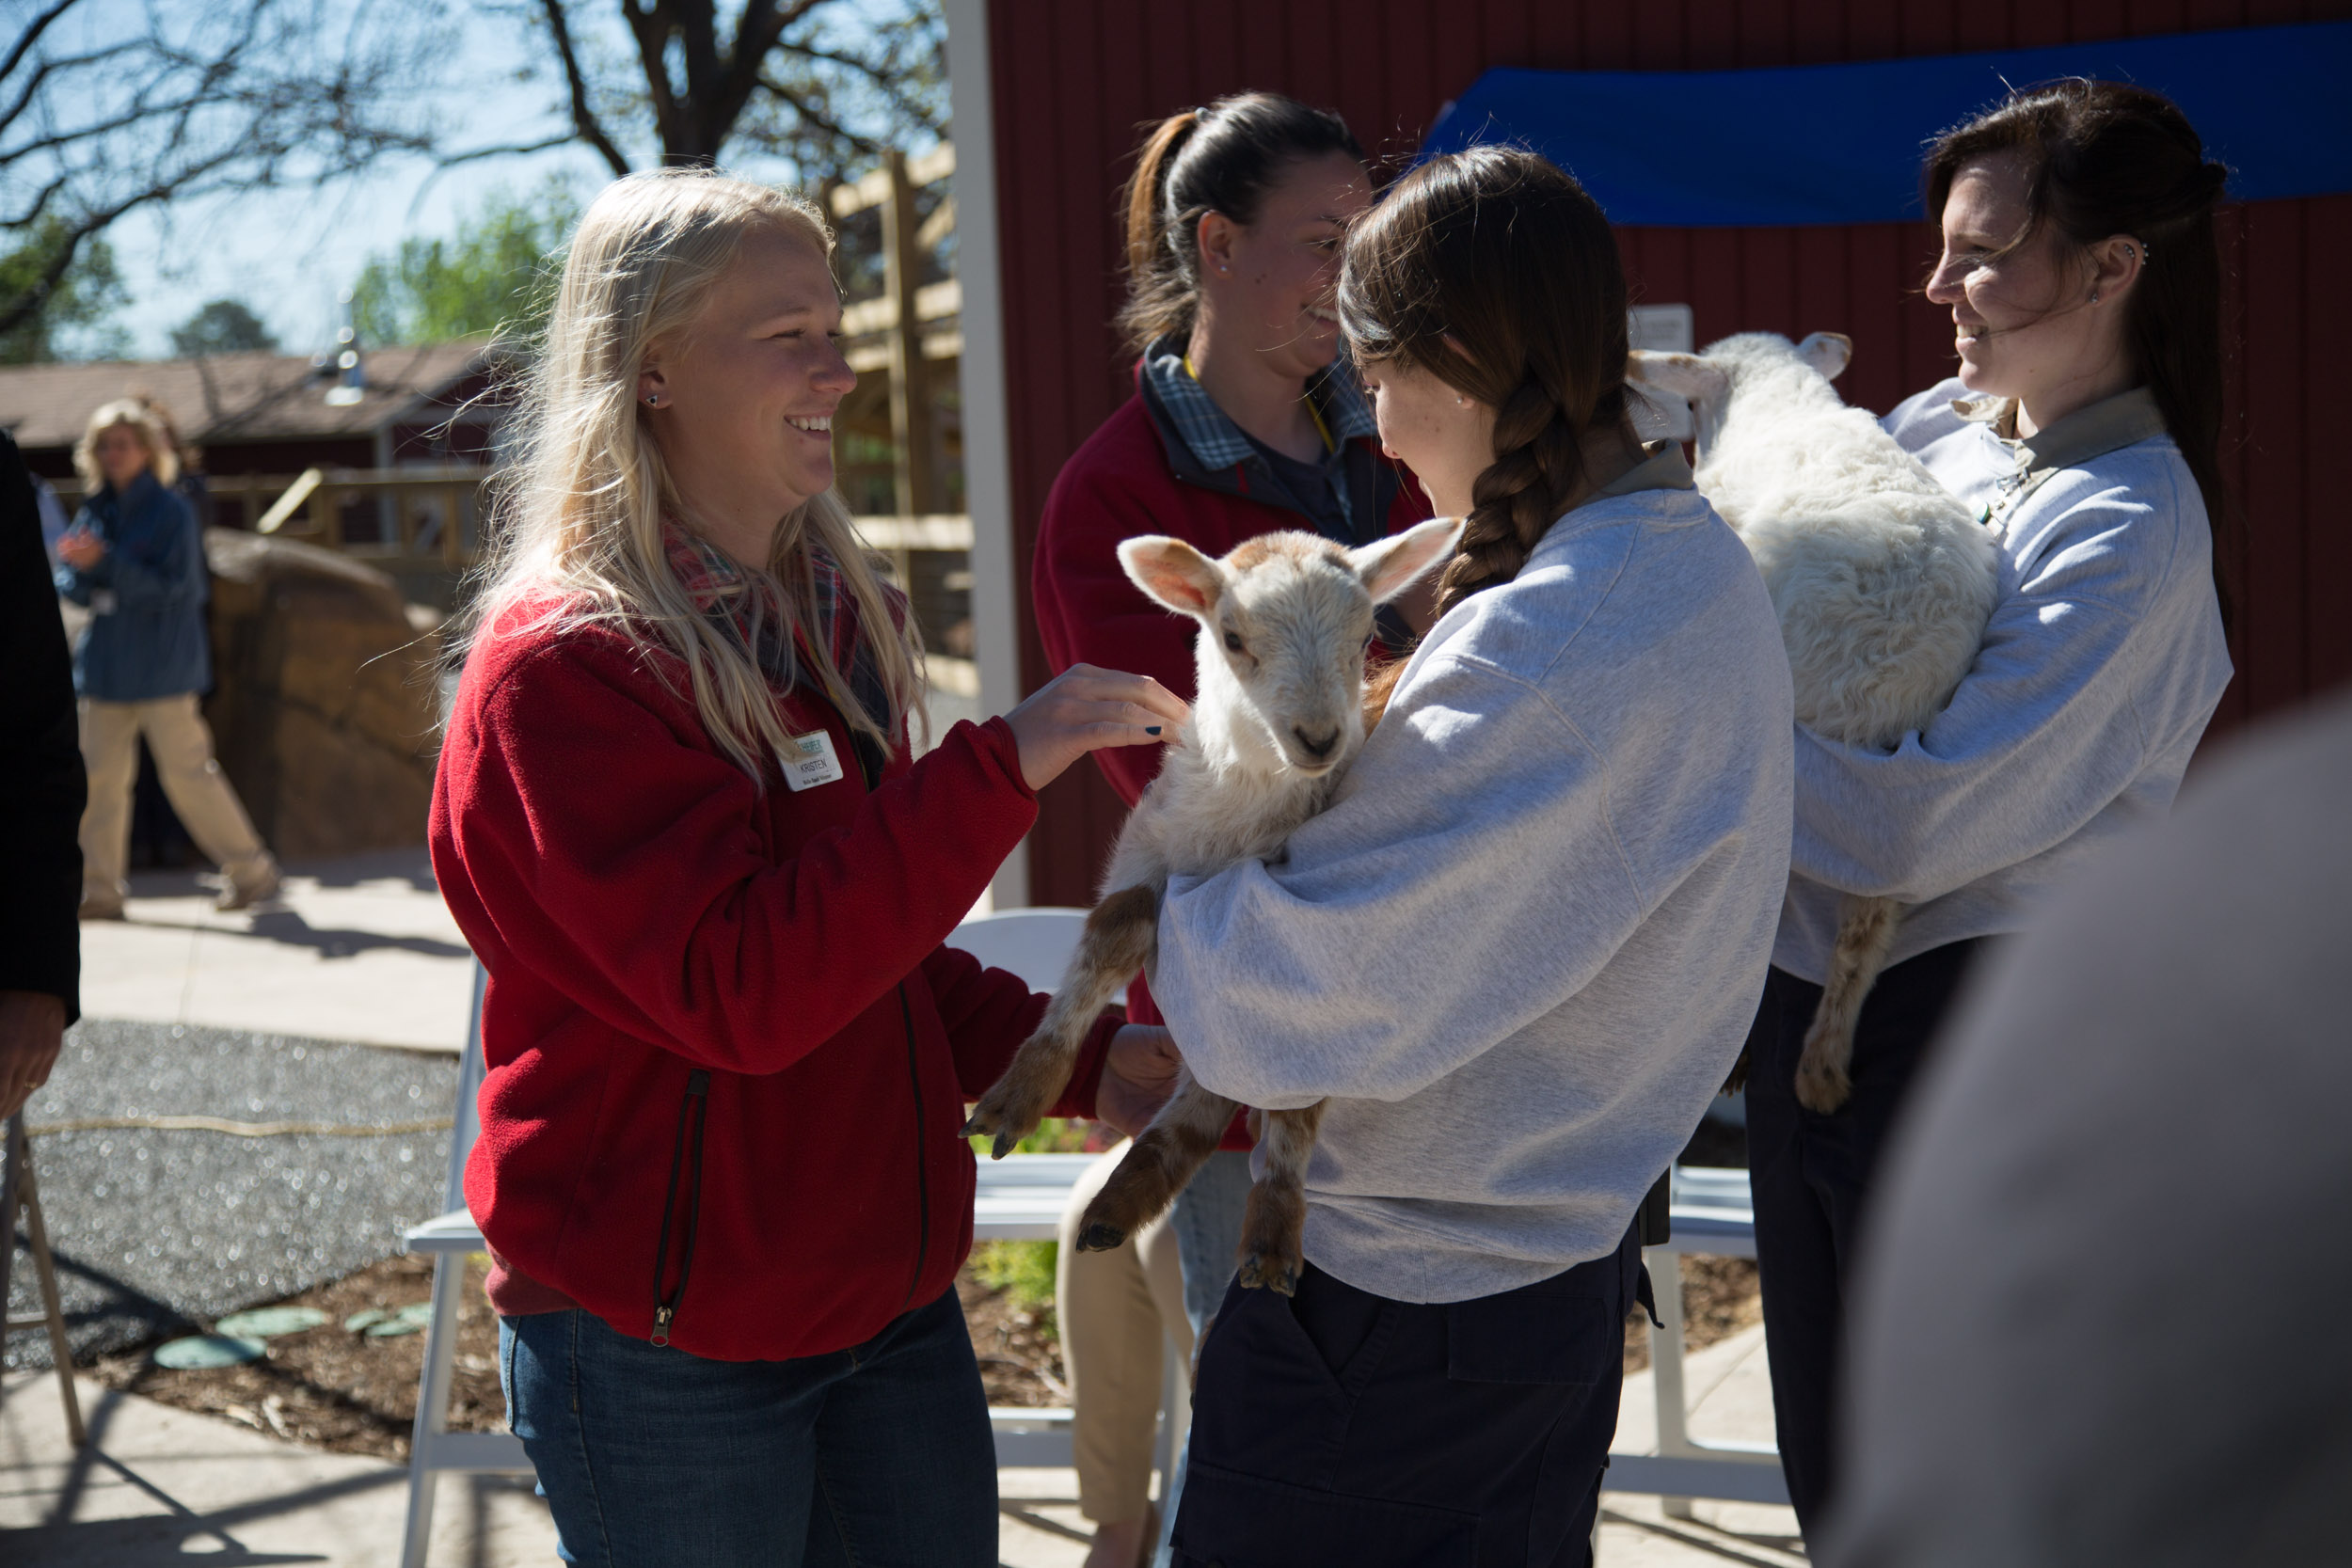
(1276, 721)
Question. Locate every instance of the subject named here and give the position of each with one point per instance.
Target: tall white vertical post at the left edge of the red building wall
(989, 488)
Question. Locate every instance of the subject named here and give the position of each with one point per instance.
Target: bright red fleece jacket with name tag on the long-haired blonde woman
(646, 913)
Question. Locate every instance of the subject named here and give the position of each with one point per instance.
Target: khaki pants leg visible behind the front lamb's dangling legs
(1116, 1313)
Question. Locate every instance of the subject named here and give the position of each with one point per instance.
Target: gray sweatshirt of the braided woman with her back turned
(1528, 939)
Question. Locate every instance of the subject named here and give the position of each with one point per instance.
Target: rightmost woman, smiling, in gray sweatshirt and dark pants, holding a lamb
(2085, 293)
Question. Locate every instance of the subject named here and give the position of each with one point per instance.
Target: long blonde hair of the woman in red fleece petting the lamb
(584, 500)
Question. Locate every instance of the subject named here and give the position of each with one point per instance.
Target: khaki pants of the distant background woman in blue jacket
(208, 808)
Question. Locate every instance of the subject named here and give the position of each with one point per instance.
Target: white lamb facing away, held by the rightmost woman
(1880, 577)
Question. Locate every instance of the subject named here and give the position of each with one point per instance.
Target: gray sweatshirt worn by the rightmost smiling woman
(2099, 674)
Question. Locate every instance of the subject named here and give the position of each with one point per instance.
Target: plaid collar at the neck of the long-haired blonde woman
(740, 601)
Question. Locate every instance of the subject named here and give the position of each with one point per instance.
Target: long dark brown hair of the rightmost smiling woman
(2109, 159)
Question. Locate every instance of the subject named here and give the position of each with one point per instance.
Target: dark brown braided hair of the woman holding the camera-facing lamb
(1499, 276)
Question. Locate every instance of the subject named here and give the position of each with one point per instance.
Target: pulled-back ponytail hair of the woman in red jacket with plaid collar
(1220, 159)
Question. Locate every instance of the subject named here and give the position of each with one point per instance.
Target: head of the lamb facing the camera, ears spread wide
(1285, 622)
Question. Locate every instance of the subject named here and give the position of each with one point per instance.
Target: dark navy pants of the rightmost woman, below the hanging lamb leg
(1812, 1184)
